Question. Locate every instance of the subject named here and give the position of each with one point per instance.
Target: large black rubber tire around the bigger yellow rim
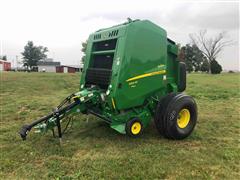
(167, 114)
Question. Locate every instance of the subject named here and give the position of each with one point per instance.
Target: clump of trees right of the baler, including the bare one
(201, 54)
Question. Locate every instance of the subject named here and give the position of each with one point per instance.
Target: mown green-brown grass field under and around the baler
(92, 150)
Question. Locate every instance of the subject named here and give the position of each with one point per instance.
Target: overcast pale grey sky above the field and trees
(62, 25)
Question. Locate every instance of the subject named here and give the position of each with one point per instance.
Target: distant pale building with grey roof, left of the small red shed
(47, 66)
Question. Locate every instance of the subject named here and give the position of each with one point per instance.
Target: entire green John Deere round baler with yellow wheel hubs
(131, 75)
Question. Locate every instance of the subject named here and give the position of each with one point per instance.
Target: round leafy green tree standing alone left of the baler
(32, 54)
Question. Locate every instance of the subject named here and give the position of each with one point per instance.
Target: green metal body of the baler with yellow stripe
(144, 69)
